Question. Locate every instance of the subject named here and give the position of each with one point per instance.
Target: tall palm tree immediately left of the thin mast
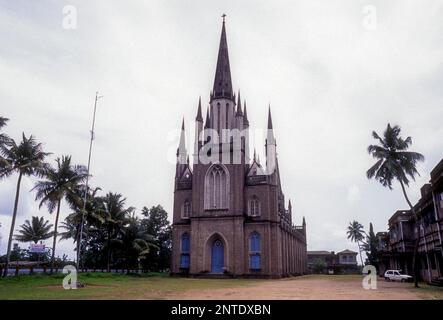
(59, 183)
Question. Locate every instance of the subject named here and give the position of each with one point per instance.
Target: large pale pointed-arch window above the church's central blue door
(217, 188)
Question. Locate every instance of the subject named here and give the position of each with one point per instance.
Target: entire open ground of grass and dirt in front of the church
(161, 286)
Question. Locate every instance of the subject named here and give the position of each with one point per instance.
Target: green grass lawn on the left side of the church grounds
(108, 286)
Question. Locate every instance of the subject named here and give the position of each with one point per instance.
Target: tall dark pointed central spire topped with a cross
(222, 81)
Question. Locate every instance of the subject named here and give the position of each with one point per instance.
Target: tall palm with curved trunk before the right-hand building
(394, 162)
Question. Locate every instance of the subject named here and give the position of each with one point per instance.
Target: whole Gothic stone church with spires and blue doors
(230, 216)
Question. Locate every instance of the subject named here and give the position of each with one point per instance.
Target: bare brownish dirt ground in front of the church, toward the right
(315, 287)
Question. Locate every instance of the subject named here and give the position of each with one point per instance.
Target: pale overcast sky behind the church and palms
(330, 77)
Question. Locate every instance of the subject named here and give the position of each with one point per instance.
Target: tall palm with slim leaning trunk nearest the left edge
(26, 159)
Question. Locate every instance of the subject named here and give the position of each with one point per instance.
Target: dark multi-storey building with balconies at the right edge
(425, 225)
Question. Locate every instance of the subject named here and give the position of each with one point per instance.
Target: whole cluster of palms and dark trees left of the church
(112, 236)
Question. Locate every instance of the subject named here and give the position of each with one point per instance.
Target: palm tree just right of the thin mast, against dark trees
(115, 218)
